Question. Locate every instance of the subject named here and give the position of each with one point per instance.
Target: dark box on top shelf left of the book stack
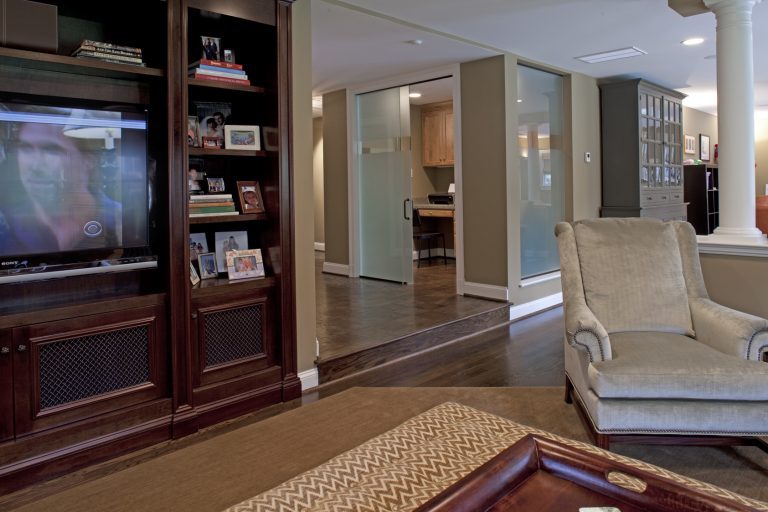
(29, 25)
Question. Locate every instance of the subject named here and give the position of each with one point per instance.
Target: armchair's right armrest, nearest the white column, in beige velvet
(729, 331)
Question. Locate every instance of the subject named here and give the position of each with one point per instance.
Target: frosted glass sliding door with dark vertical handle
(384, 164)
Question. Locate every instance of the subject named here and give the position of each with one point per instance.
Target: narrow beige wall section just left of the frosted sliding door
(335, 177)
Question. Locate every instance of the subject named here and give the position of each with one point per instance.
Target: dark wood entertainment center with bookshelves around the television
(96, 365)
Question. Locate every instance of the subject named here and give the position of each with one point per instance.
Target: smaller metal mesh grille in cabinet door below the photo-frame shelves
(233, 334)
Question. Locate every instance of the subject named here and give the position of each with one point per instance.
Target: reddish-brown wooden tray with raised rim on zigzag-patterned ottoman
(540, 474)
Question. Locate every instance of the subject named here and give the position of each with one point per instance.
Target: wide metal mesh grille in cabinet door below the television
(78, 368)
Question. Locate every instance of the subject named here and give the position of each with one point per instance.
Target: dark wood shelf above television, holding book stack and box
(63, 63)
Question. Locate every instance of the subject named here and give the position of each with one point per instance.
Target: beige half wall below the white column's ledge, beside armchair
(738, 282)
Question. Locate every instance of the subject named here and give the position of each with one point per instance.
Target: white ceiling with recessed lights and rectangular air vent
(362, 41)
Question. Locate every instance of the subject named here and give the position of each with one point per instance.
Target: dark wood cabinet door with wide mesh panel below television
(79, 368)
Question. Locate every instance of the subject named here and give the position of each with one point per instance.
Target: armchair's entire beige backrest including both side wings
(635, 274)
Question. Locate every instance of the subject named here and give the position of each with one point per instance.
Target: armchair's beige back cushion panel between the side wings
(640, 257)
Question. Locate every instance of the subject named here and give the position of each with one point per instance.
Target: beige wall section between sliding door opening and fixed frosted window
(484, 168)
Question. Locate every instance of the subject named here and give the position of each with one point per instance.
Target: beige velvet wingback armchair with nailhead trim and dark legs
(649, 358)
